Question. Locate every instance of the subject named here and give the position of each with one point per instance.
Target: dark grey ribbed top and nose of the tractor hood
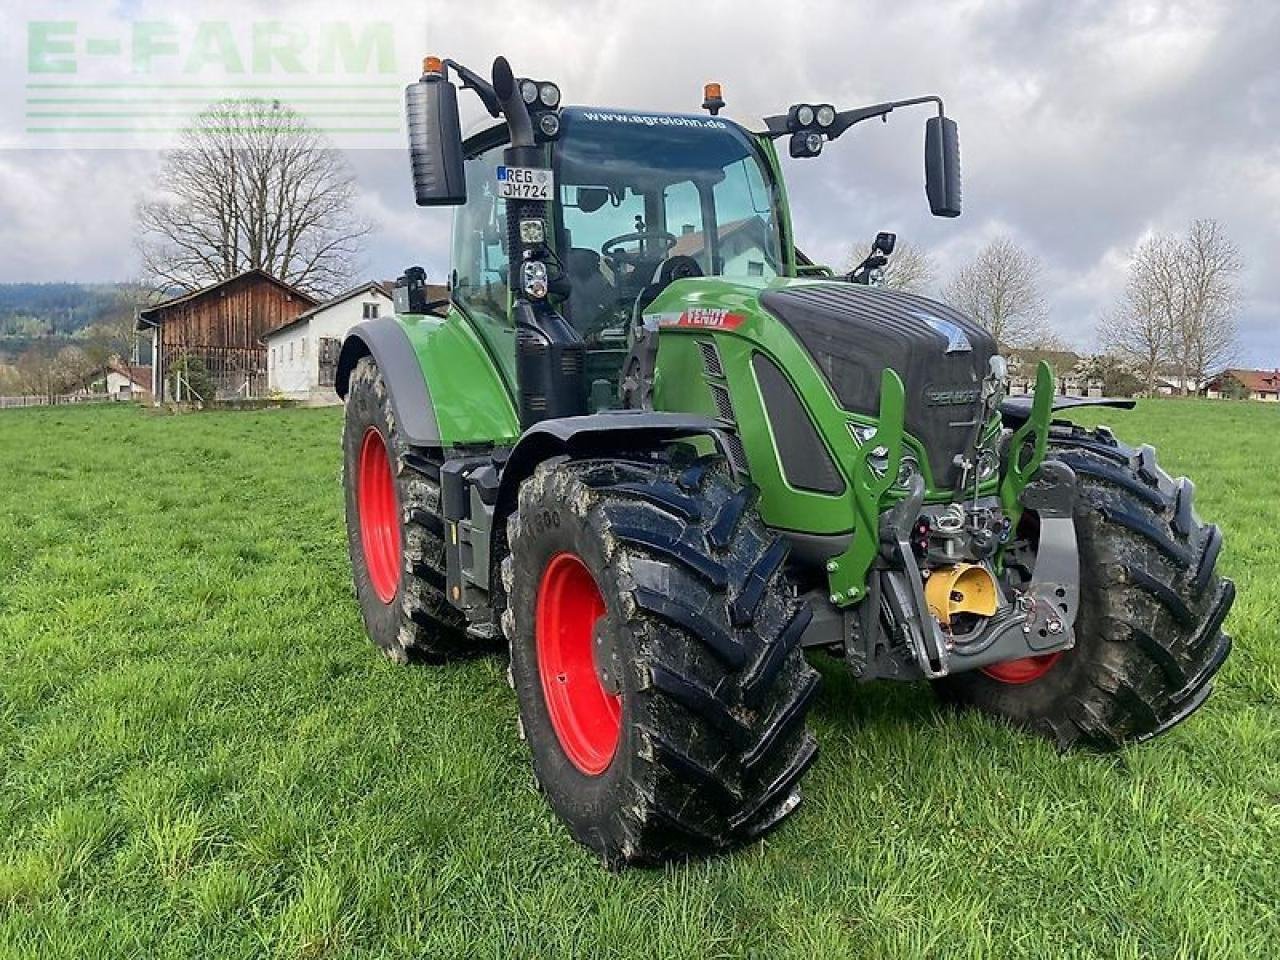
(854, 332)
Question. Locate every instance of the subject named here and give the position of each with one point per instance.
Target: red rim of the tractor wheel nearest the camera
(587, 717)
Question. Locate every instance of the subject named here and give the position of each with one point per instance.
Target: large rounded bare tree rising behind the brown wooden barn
(253, 185)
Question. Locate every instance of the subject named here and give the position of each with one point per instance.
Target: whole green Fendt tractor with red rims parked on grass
(659, 454)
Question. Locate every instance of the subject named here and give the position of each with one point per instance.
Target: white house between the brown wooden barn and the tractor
(303, 355)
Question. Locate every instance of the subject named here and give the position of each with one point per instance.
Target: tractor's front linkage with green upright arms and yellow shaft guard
(881, 569)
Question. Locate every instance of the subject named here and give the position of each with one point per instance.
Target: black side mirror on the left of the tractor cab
(436, 143)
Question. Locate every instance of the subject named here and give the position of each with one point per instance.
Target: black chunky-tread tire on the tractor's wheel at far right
(1149, 630)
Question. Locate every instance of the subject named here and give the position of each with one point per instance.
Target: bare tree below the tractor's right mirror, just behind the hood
(1000, 290)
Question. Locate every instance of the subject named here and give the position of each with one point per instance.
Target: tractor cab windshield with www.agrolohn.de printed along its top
(638, 191)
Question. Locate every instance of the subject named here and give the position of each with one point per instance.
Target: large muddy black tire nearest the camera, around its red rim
(705, 633)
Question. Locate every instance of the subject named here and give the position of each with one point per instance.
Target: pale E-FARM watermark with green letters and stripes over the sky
(141, 84)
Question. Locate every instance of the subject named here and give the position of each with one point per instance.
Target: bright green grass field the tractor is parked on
(200, 755)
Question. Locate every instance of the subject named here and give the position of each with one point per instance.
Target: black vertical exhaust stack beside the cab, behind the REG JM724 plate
(551, 358)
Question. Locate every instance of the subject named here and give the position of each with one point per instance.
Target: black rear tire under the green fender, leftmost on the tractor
(418, 623)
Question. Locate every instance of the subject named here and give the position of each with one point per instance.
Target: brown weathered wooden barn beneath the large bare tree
(216, 335)
